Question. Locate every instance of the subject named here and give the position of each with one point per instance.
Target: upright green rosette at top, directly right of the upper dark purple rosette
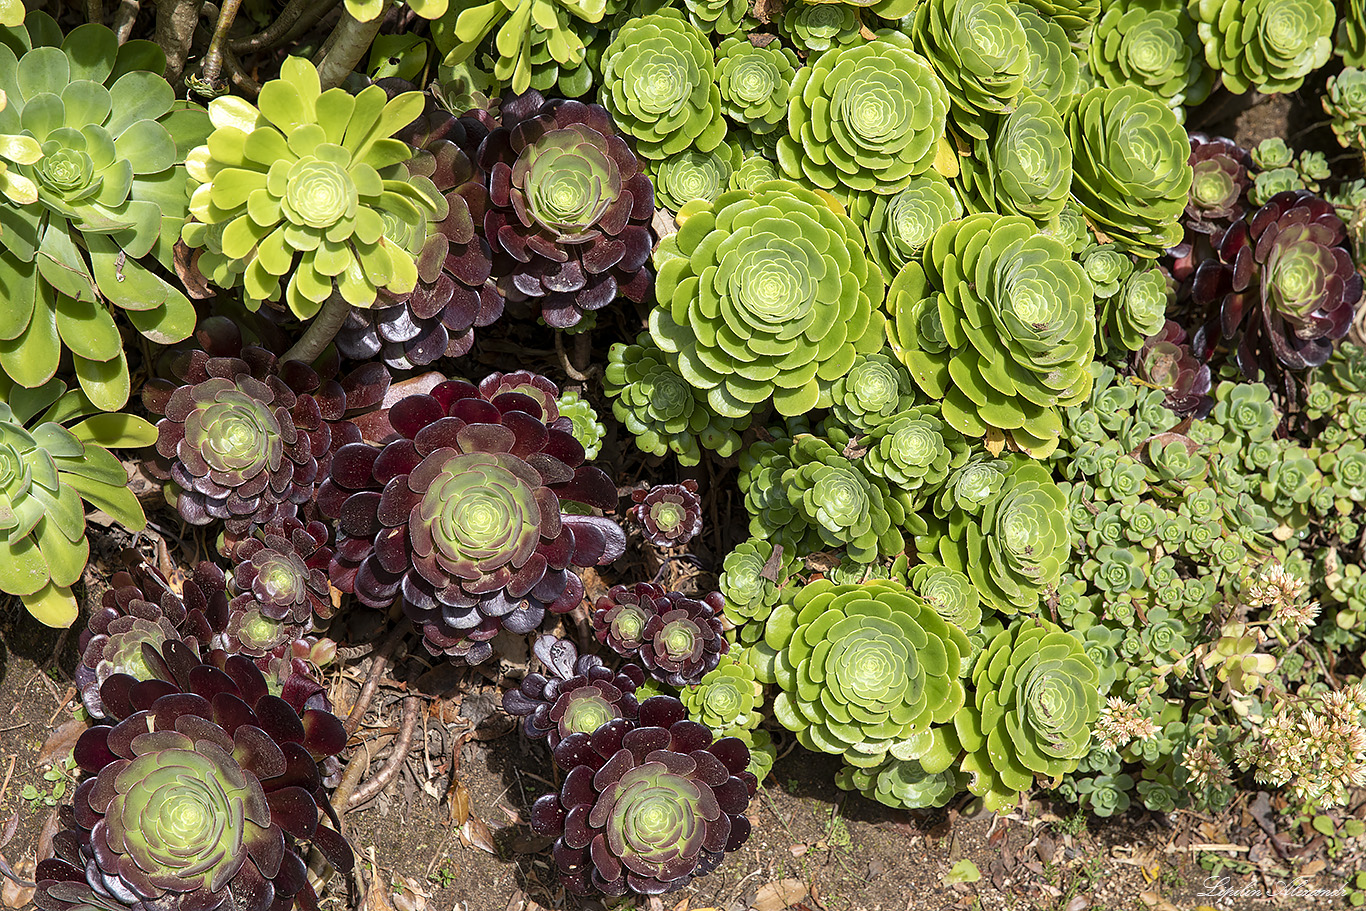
(659, 81)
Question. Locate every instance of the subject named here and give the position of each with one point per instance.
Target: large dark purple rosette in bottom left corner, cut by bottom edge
(200, 797)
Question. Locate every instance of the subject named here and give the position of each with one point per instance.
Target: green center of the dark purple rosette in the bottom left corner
(181, 815)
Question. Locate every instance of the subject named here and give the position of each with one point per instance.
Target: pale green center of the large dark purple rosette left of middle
(482, 513)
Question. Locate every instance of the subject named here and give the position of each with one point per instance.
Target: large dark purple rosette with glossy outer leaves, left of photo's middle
(460, 514)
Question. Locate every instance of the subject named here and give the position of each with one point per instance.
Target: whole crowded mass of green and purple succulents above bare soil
(1046, 413)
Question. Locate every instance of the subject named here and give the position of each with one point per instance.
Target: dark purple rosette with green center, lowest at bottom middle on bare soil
(647, 807)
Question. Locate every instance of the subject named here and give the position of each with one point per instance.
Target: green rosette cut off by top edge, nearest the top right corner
(1266, 44)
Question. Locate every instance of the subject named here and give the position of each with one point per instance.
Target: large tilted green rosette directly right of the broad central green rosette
(1001, 326)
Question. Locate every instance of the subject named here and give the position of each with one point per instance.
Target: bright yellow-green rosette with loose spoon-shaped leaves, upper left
(341, 215)
